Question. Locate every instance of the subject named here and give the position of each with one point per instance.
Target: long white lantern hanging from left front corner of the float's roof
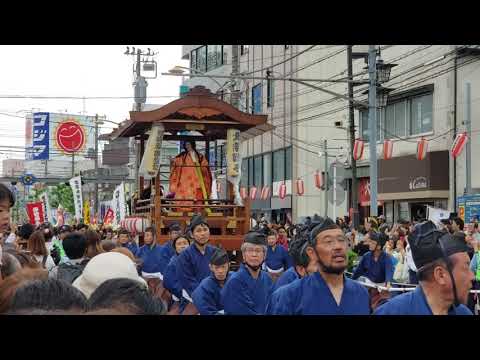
(150, 163)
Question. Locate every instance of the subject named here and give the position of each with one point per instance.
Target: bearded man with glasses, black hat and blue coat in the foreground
(327, 291)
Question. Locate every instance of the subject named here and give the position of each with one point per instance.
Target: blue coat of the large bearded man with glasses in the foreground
(312, 296)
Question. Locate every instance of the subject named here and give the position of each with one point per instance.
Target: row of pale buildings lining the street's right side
(420, 105)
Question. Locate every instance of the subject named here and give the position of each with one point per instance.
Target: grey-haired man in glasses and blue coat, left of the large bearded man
(248, 291)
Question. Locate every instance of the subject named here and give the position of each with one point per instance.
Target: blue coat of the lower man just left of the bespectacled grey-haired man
(207, 298)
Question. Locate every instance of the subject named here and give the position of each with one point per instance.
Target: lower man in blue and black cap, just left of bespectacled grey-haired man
(206, 296)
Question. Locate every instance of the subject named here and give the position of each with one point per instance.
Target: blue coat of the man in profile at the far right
(414, 303)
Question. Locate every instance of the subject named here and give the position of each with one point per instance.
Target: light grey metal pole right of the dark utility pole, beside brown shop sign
(372, 123)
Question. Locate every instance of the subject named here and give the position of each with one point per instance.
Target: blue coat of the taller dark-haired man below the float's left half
(192, 268)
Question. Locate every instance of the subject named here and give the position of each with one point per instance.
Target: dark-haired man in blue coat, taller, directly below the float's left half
(193, 262)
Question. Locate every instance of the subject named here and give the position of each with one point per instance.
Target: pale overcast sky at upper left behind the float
(83, 71)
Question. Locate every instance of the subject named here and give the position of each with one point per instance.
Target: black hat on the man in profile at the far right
(425, 244)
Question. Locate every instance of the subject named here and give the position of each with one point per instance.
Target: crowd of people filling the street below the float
(318, 267)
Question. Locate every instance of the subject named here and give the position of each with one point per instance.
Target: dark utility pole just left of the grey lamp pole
(351, 114)
